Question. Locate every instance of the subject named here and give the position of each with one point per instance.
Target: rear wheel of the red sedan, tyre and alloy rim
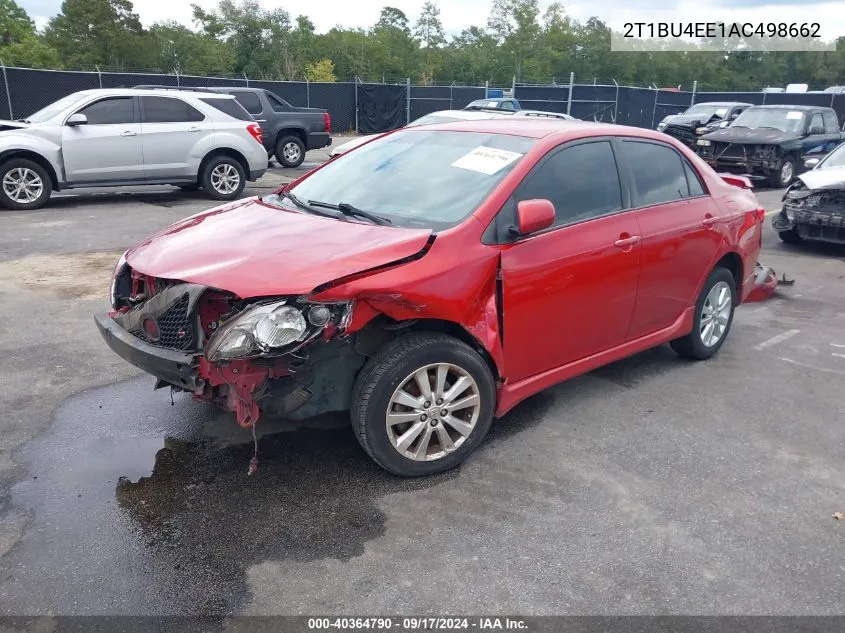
(714, 313)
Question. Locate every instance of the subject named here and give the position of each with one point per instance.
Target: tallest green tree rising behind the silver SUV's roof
(105, 32)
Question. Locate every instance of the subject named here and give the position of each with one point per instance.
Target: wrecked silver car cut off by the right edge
(814, 206)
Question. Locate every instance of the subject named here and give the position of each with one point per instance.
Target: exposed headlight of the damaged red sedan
(268, 327)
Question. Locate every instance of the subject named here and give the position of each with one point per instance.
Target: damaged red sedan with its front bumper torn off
(434, 278)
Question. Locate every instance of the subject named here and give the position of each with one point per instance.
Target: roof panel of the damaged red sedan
(540, 127)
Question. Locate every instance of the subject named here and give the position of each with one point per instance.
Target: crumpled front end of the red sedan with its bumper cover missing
(284, 355)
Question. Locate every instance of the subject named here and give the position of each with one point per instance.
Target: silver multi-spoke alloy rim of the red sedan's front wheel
(433, 411)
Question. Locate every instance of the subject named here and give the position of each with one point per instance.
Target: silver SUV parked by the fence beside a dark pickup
(130, 136)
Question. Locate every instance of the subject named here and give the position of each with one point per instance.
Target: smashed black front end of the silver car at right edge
(814, 214)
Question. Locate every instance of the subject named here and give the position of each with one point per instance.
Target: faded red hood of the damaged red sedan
(252, 249)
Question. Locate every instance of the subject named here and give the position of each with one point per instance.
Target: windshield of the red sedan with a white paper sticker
(415, 178)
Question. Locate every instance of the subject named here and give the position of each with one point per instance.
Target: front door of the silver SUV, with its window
(108, 147)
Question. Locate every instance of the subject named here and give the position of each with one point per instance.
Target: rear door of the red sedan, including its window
(681, 230)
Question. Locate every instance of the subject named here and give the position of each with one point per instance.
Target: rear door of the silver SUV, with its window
(170, 129)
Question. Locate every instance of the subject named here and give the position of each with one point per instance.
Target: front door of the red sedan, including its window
(569, 292)
